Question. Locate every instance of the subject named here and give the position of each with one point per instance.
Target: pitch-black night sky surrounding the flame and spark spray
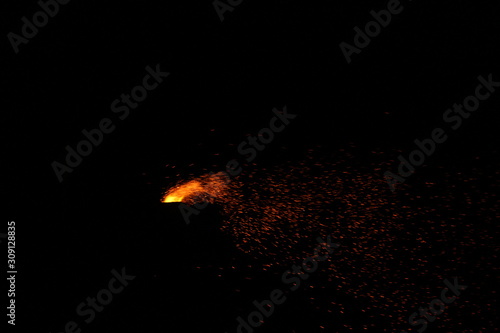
(225, 78)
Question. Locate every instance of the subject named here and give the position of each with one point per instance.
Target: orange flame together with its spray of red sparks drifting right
(390, 243)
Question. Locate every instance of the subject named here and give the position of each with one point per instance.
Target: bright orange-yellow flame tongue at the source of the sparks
(206, 188)
